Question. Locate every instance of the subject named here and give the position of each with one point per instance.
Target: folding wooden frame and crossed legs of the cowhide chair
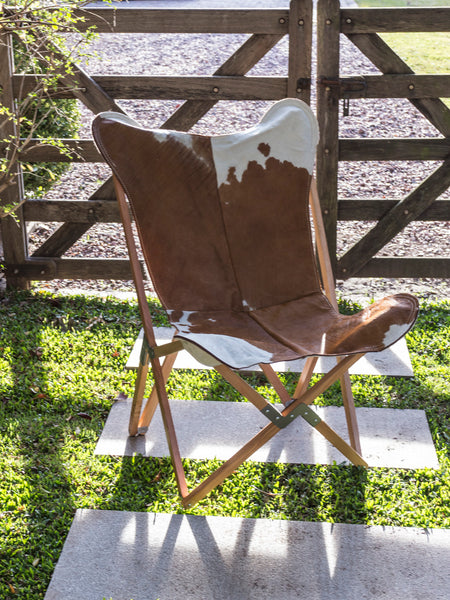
(298, 405)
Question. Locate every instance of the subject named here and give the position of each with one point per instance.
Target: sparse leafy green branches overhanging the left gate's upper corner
(47, 41)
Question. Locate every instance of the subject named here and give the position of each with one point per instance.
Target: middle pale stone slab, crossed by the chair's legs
(211, 429)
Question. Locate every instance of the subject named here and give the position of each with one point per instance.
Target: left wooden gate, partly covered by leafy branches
(266, 28)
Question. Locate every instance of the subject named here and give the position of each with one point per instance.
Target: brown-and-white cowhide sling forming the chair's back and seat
(235, 265)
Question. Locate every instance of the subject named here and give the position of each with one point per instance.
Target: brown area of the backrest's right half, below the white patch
(266, 218)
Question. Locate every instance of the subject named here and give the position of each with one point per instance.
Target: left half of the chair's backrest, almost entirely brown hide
(170, 181)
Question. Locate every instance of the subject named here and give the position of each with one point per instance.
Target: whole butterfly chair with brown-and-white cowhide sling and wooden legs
(224, 227)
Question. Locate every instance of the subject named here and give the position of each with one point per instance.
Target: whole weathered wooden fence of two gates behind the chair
(266, 27)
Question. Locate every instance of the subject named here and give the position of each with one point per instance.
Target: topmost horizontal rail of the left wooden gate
(153, 20)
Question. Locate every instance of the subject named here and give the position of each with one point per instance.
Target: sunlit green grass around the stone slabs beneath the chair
(61, 366)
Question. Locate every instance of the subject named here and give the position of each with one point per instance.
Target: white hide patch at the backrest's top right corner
(289, 128)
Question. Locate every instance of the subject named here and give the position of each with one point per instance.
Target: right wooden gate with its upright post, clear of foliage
(361, 27)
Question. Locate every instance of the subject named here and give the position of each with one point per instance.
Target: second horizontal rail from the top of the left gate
(174, 88)
